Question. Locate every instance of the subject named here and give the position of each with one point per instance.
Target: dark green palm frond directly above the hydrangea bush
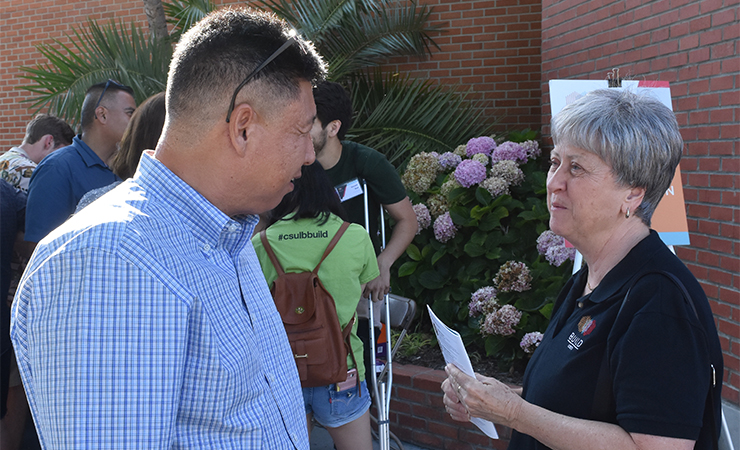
(401, 116)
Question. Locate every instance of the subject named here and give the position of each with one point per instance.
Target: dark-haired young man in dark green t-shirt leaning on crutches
(346, 163)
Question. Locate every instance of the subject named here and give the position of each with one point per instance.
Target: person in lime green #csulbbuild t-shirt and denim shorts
(302, 226)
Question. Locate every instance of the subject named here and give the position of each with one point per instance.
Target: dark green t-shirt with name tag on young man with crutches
(385, 187)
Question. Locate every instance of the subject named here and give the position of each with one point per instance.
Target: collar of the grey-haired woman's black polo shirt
(634, 263)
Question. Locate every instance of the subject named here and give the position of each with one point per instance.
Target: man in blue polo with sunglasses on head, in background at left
(60, 181)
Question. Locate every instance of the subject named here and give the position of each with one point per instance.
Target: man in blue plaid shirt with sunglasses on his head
(145, 321)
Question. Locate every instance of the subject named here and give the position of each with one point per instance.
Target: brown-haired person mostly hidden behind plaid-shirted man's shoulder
(142, 133)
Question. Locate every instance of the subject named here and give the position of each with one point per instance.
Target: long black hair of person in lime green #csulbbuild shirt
(313, 197)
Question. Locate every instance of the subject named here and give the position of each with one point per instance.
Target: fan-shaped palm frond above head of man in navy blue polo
(96, 54)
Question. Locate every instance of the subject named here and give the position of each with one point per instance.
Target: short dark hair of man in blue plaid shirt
(218, 53)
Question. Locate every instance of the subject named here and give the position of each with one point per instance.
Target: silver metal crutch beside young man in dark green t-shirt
(381, 389)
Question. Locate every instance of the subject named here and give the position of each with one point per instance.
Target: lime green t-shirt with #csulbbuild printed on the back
(299, 244)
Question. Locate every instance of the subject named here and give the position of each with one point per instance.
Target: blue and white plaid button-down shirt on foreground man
(145, 322)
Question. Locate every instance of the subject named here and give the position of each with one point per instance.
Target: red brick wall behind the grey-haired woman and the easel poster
(693, 45)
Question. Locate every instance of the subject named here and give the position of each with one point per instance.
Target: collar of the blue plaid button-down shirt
(208, 223)
